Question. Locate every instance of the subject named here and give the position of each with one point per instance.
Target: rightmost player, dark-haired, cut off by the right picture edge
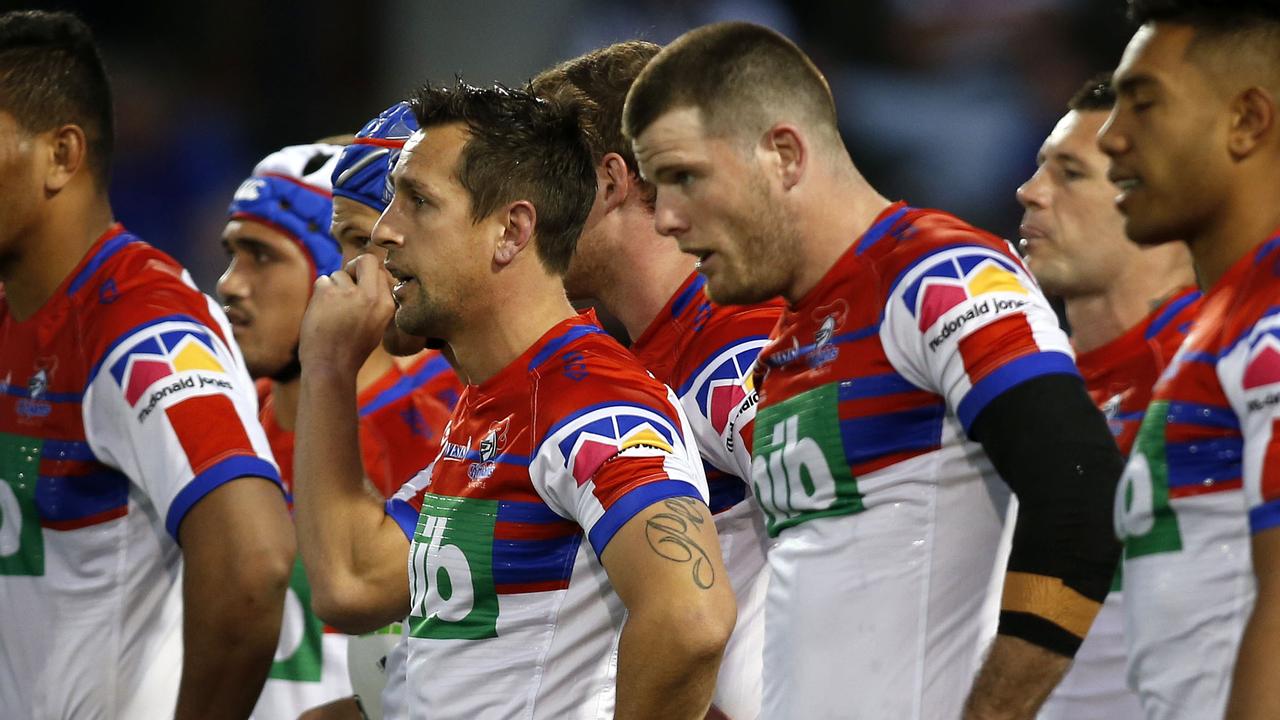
(1195, 148)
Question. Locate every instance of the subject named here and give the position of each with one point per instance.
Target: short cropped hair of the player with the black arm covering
(739, 76)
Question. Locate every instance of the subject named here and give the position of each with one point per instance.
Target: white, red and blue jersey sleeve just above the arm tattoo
(602, 466)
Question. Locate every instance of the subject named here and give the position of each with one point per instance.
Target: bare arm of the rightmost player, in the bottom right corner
(1255, 694)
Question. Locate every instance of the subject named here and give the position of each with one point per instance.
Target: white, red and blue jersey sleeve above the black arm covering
(970, 323)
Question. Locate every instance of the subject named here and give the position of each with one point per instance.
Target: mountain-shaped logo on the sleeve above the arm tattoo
(604, 434)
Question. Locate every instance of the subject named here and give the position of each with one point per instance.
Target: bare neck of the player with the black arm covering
(836, 217)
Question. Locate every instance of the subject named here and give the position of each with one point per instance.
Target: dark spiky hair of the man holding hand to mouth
(519, 148)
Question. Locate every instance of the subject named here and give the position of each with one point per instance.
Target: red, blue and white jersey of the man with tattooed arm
(513, 614)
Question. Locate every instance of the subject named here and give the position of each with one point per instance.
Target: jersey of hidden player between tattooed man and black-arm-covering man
(706, 353)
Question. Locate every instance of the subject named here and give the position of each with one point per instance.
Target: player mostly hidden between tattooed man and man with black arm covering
(703, 352)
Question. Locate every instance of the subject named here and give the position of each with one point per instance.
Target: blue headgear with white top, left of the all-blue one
(290, 192)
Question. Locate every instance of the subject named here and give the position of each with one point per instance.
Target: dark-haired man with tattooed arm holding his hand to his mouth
(563, 559)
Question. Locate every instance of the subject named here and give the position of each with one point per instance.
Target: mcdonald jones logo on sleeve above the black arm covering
(968, 289)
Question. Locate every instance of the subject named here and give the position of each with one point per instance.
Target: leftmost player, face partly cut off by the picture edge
(145, 545)
